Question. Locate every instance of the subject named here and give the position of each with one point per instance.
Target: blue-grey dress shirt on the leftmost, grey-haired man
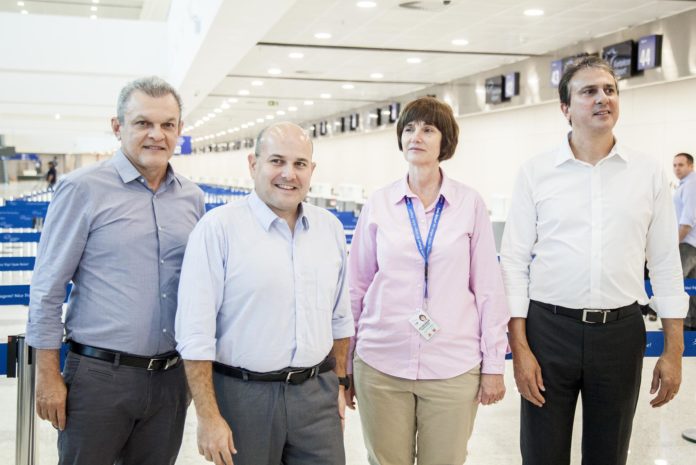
(122, 246)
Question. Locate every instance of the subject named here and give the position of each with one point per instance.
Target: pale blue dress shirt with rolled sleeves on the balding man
(253, 295)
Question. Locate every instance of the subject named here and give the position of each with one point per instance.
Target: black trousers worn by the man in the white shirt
(601, 362)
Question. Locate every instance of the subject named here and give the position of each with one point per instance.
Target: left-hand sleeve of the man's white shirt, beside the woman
(519, 238)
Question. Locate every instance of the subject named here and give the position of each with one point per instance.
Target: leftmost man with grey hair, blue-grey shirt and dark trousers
(117, 230)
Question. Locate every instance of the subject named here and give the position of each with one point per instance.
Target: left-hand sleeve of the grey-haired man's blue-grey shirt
(61, 246)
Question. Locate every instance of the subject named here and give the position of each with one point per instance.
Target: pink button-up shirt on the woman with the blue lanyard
(465, 288)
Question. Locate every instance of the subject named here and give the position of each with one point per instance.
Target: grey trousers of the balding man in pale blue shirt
(274, 423)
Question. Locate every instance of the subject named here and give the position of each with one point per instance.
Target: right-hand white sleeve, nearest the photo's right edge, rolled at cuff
(662, 254)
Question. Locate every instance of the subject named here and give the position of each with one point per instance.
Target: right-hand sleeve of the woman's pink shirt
(487, 285)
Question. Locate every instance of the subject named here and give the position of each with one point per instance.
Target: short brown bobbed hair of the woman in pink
(431, 111)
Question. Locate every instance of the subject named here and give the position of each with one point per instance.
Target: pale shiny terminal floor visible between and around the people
(656, 436)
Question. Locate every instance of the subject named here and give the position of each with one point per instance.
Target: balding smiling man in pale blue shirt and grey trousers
(264, 318)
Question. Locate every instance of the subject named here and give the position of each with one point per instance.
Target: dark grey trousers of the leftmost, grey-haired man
(121, 414)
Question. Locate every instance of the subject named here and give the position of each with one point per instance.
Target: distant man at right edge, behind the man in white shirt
(685, 205)
